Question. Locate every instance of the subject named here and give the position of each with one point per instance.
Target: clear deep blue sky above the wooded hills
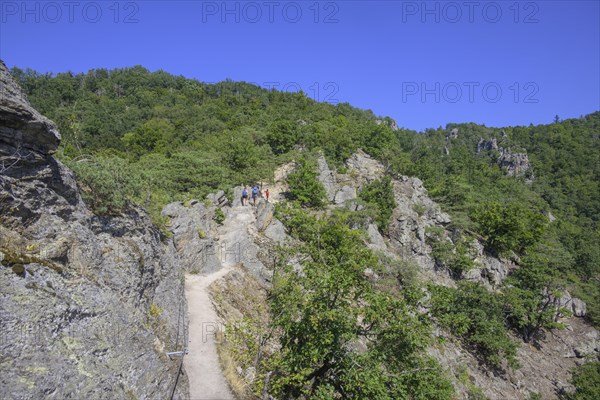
(423, 63)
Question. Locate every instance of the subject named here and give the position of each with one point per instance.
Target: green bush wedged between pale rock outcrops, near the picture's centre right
(379, 195)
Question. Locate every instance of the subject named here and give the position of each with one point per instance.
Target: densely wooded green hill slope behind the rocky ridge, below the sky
(131, 134)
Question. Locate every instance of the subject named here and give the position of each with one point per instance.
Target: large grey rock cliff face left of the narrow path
(88, 305)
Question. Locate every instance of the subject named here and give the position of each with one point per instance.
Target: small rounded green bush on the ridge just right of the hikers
(304, 186)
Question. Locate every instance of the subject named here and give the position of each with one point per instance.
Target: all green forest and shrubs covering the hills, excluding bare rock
(150, 138)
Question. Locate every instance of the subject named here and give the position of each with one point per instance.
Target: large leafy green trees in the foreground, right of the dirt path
(329, 307)
